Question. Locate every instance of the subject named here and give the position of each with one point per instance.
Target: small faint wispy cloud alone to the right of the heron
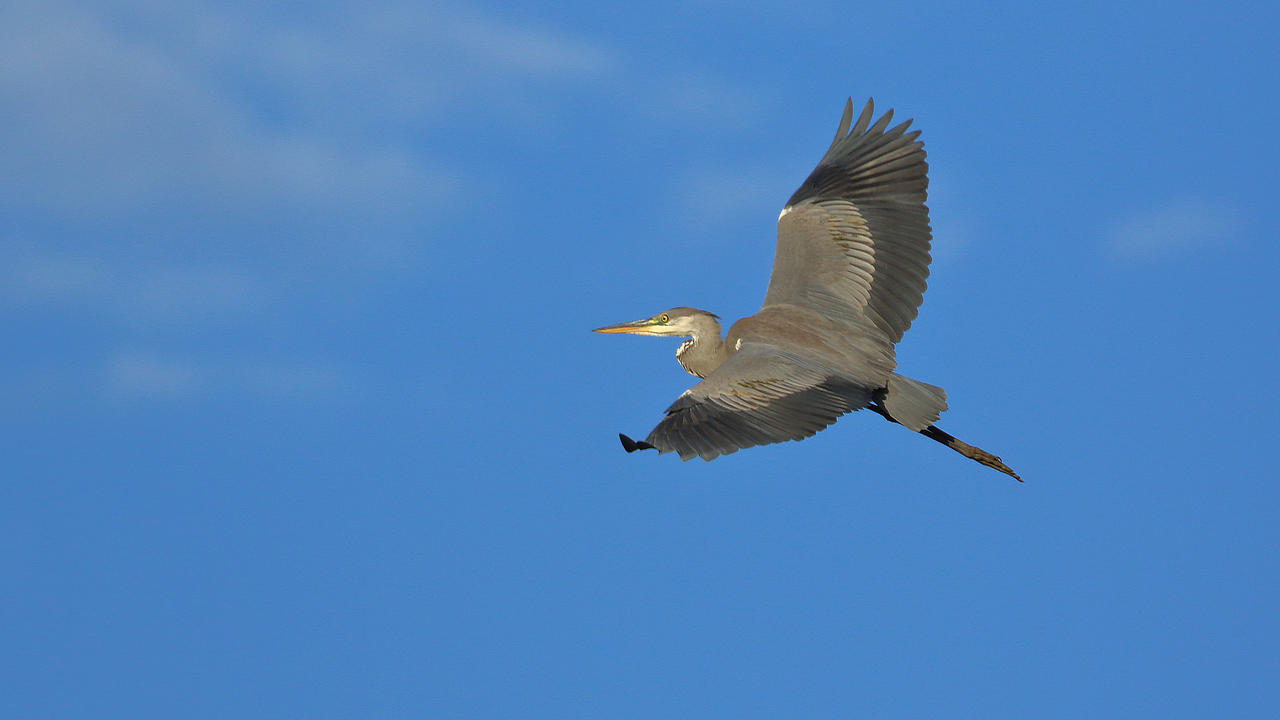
(1172, 230)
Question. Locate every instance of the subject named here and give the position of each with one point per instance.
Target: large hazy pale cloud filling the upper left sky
(164, 158)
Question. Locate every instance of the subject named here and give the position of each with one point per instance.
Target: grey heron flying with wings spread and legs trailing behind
(848, 280)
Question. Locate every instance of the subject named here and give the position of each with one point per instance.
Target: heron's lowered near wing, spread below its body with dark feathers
(764, 394)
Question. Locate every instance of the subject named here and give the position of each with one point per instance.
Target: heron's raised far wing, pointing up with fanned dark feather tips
(854, 239)
